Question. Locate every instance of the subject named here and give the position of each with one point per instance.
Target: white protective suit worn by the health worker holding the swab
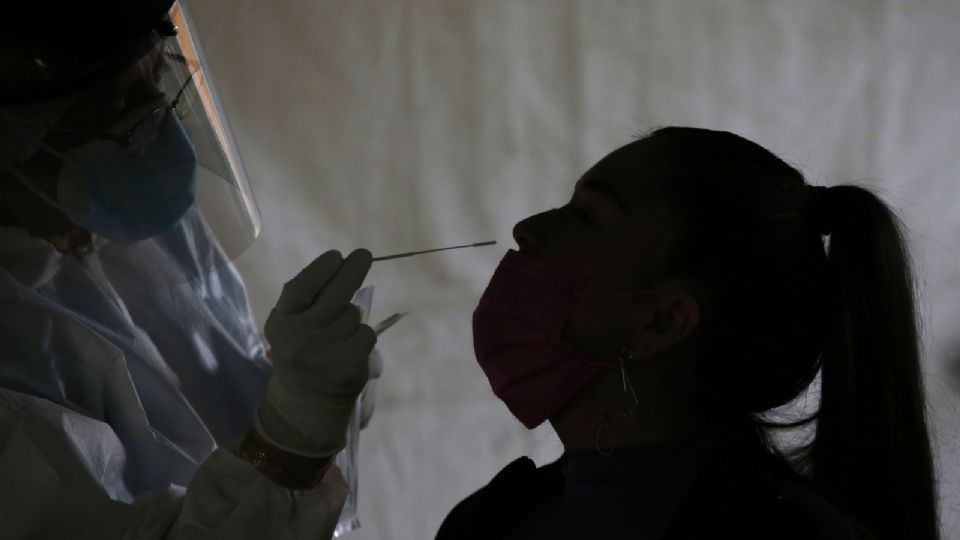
(116, 388)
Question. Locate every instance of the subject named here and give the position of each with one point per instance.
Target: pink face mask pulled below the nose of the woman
(517, 336)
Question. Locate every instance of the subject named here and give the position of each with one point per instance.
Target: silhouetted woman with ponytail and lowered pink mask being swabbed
(684, 292)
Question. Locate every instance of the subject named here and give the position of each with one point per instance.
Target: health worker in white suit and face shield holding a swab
(136, 396)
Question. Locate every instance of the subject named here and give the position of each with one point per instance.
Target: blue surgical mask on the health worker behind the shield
(124, 198)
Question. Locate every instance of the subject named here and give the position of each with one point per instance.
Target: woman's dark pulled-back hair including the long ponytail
(778, 307)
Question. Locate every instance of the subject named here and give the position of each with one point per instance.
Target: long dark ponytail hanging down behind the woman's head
(872, 453)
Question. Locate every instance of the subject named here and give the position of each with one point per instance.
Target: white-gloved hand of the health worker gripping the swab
(319, 350)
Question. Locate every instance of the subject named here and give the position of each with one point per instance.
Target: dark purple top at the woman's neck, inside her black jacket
(633, 493)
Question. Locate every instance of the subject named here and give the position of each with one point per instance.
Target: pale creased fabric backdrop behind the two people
(400, 125)
